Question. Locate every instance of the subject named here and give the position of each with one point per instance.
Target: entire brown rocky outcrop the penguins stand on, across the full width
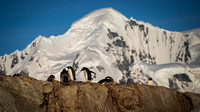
(24, 94)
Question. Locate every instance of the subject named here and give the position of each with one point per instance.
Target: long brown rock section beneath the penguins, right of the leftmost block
(90, 97)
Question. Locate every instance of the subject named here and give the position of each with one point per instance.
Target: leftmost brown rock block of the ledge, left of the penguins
(19, 94)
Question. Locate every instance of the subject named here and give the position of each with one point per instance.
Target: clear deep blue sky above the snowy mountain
(21, 21)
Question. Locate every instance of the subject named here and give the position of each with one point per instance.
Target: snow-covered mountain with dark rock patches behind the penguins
(111, 45)
